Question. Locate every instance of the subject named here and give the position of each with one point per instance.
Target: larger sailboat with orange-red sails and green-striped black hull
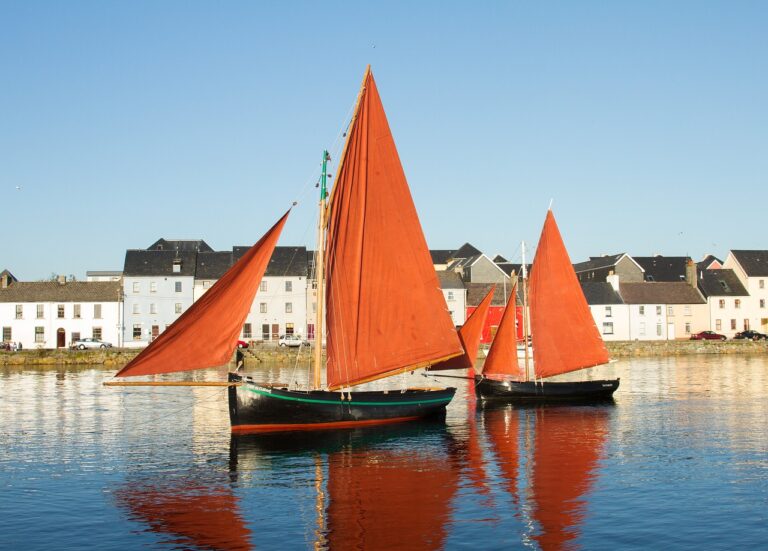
(383, 318)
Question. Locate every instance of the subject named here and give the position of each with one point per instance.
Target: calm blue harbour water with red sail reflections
(679, 461)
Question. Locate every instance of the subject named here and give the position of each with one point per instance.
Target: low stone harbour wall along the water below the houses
(272, 354)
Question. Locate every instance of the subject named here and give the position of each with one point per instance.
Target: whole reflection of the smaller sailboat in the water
(548, 458)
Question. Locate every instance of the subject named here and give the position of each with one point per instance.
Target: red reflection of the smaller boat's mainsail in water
(567, 449)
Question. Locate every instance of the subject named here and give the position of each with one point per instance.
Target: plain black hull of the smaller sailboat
(547, 391)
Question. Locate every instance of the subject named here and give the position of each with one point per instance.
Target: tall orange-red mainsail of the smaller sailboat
(563, 332)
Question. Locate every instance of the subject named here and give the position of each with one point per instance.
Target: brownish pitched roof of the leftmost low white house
(53, 291)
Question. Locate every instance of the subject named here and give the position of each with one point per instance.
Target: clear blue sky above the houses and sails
(124, 122)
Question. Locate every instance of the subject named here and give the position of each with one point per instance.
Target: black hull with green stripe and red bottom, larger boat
(255, 407)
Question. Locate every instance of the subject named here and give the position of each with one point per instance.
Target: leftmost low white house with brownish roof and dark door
(52, 314)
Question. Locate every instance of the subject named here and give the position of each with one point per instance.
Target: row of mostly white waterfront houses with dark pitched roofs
(645, 298)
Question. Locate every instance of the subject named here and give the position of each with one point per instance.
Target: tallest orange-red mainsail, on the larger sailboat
(385, 311)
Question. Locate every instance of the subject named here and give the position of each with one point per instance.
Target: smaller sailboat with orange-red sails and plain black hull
(563, 335)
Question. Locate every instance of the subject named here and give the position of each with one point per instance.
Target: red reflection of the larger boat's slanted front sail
(199, 516)
